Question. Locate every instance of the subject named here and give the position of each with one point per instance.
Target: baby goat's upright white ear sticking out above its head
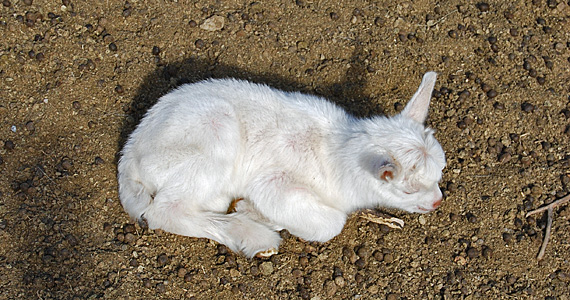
(417, 108)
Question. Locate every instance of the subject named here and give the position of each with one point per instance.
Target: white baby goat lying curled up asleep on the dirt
(300, 163)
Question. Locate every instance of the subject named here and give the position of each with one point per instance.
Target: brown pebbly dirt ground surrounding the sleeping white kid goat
(76, 76)
